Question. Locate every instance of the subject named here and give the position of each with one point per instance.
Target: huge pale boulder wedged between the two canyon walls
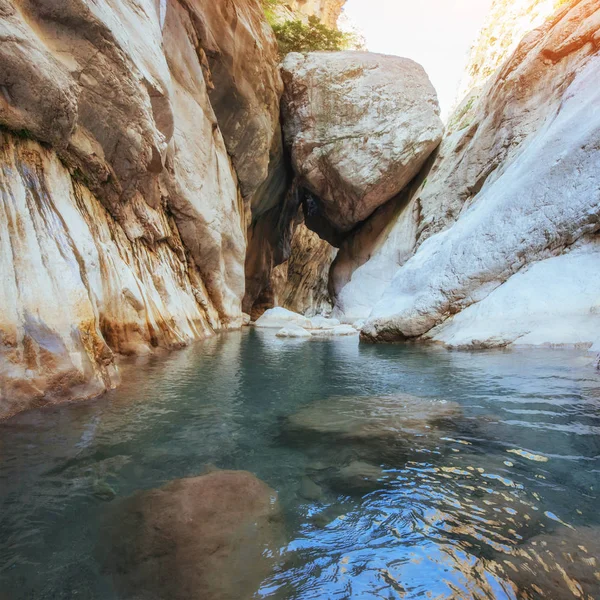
(359, 127)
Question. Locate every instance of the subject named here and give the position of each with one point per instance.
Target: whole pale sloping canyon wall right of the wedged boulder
(511, 191)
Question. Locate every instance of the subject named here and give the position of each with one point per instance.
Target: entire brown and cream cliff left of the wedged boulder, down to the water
(136, 139)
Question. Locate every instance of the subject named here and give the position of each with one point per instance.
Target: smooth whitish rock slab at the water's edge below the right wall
(536, 306)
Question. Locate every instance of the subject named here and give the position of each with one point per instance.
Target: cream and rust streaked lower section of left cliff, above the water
(75, 289)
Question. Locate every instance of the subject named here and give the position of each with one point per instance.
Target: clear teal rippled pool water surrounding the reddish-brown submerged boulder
(447, 509)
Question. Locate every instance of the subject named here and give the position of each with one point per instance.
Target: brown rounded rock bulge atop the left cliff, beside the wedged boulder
(244, 83)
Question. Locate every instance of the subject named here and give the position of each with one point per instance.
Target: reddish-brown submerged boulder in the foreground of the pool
(213, 537)
